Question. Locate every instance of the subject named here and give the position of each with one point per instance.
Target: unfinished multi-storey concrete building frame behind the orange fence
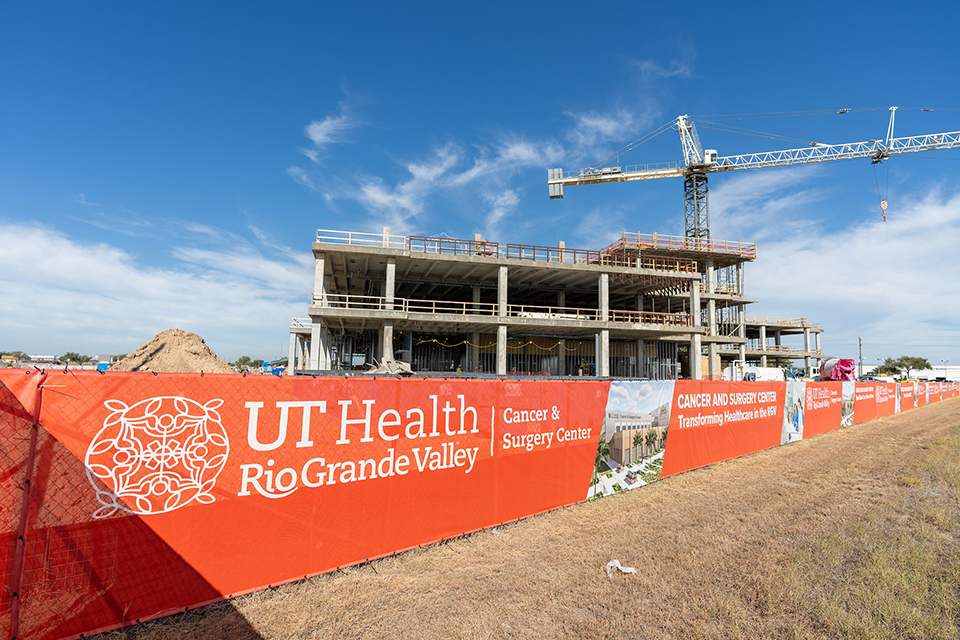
(646, 306)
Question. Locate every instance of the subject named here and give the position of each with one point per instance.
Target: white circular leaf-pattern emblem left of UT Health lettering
(156, 455)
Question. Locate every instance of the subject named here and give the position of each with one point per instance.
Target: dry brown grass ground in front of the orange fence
(849, 534)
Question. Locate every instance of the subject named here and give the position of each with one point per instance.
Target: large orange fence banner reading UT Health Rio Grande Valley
(153, 493)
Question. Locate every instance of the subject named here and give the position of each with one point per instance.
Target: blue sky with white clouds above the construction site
(167, 164)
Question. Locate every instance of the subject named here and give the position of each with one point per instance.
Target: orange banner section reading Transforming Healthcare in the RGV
(714, 421)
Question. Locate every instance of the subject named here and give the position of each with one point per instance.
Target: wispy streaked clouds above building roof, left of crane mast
(466, 174)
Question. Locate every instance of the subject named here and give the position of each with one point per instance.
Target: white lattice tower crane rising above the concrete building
(697, 163)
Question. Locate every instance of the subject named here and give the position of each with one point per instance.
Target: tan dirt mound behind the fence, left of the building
(174, 350)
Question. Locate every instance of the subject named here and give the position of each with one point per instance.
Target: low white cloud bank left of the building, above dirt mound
(64, 295)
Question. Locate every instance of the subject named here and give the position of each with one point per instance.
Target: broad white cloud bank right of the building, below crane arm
(889, 280)
